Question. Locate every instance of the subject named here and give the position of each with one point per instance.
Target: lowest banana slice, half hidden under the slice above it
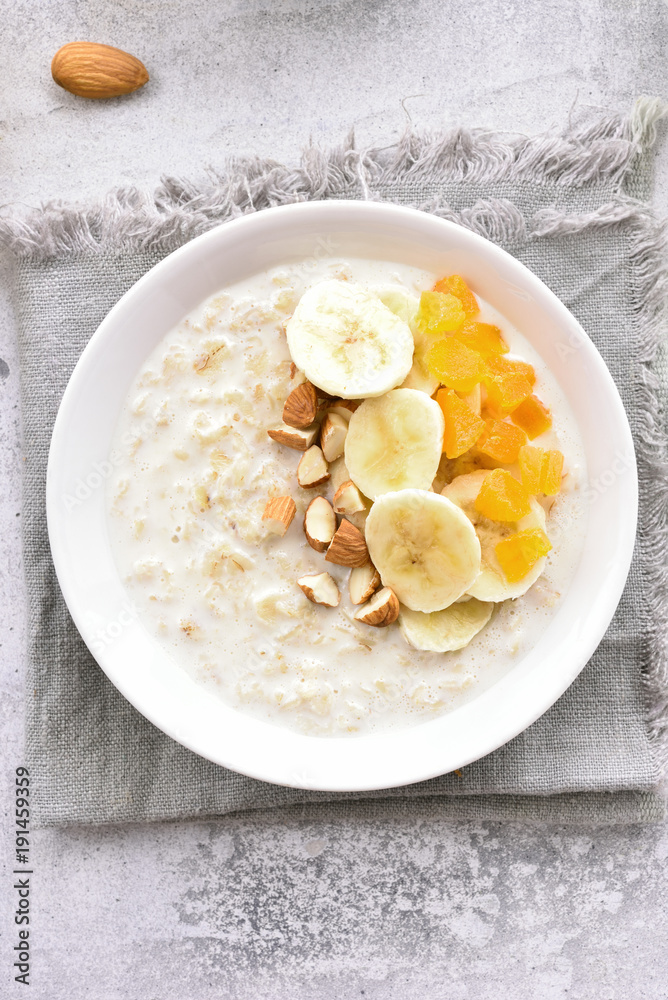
(447, 630)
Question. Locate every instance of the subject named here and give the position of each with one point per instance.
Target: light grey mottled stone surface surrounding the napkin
(270, 907)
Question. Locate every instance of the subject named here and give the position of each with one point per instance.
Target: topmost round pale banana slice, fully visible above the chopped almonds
(347, 342)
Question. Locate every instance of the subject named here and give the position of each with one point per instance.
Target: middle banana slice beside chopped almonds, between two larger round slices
(394, 442)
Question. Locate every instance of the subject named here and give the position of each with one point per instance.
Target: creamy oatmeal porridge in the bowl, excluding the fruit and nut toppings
(194, 468)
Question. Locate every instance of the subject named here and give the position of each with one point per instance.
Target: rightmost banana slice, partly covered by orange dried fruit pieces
(492, 585)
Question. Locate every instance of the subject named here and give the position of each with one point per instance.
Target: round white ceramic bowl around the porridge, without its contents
(146, 675)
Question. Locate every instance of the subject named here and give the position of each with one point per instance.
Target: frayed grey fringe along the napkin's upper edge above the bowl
(129, 219)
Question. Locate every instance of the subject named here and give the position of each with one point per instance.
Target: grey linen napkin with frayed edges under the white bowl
(573, 208)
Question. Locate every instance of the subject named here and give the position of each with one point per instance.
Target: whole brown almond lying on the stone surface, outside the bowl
(88, 69)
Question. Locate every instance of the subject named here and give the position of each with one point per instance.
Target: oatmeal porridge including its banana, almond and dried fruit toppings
(268, 486)
